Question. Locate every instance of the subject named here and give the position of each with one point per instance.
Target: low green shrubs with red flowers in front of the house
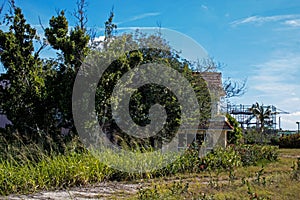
(220, 158)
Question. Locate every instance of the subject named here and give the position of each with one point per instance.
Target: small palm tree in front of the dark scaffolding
(261, 113)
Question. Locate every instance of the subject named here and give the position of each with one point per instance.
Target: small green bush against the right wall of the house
(235, 136)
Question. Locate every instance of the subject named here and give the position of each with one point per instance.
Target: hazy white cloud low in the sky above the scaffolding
(277, 82)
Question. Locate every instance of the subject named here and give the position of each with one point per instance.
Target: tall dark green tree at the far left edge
(23, 99)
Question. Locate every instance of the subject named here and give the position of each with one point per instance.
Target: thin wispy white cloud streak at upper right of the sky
(286, 19)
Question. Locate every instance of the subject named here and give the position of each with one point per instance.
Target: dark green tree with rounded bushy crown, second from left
(73, 45)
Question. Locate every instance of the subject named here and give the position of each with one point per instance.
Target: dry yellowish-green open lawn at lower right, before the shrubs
(276, 180)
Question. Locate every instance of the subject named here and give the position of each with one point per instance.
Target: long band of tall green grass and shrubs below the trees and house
(27, 168)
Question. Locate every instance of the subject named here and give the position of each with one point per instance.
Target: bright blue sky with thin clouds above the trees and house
(257, 40)
